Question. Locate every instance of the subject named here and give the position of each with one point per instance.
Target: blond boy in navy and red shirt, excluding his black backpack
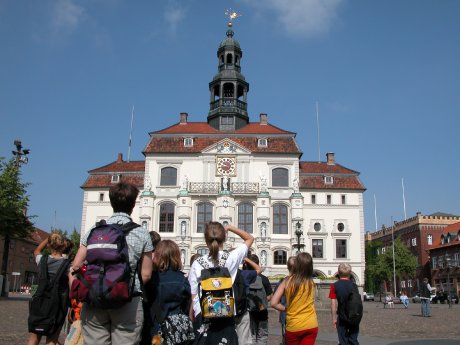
(338, 294)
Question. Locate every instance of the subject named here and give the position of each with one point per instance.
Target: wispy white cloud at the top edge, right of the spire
(302, 17)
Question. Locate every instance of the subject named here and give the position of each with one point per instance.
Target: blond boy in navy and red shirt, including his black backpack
(346, 307)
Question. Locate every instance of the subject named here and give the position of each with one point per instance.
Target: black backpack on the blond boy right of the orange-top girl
(351, 306)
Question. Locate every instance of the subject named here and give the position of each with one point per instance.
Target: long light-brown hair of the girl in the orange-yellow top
(301, 275)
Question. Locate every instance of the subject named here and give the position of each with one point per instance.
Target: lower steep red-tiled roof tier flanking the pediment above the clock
(176, 144)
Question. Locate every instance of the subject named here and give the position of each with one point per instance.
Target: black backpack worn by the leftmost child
(48, 306)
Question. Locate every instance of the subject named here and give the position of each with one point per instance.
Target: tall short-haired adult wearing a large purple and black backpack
(116, 316)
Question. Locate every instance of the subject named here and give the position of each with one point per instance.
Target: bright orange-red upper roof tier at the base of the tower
(205, 128)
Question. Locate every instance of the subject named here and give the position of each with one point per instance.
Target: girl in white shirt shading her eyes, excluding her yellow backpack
(223, 330)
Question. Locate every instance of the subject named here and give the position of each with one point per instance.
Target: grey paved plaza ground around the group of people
(380, 326)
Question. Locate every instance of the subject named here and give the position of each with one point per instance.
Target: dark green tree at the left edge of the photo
(14, 201)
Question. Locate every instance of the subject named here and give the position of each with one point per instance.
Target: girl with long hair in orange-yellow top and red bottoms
(301, 321)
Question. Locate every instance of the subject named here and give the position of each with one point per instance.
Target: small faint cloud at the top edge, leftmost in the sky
(66, 15)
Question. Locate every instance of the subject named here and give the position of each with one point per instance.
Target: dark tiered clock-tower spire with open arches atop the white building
(228, 109)
